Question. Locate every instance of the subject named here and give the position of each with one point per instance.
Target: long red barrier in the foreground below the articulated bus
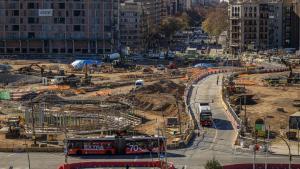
(158, 164)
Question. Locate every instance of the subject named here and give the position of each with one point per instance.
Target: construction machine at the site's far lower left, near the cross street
(14, 128)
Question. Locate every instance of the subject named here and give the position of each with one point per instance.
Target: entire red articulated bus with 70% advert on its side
(115, 145)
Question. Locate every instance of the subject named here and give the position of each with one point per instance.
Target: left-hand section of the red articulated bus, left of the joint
(89, 146)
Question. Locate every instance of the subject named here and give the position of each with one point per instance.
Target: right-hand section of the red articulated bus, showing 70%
(143, 145)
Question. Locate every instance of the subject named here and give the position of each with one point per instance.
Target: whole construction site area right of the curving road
(266, 98)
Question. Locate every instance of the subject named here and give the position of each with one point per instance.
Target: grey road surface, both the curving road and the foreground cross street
(215, 142)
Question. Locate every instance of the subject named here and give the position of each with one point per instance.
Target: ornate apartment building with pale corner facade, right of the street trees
(255, 25)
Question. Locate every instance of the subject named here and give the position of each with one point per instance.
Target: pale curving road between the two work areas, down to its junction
(215, 140)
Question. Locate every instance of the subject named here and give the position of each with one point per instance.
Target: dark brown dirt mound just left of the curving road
(163, 86)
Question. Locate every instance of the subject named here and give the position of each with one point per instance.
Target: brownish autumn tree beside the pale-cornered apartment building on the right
(216, 21)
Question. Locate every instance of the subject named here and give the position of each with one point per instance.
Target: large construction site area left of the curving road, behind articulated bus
(43, 102)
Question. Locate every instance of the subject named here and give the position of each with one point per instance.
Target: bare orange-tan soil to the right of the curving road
(269, 99)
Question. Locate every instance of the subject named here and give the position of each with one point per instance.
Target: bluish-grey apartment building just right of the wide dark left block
(139, 19)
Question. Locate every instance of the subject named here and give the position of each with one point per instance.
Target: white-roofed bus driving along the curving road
(205, 114)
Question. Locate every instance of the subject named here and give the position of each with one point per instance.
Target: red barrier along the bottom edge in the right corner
(261, 166)
